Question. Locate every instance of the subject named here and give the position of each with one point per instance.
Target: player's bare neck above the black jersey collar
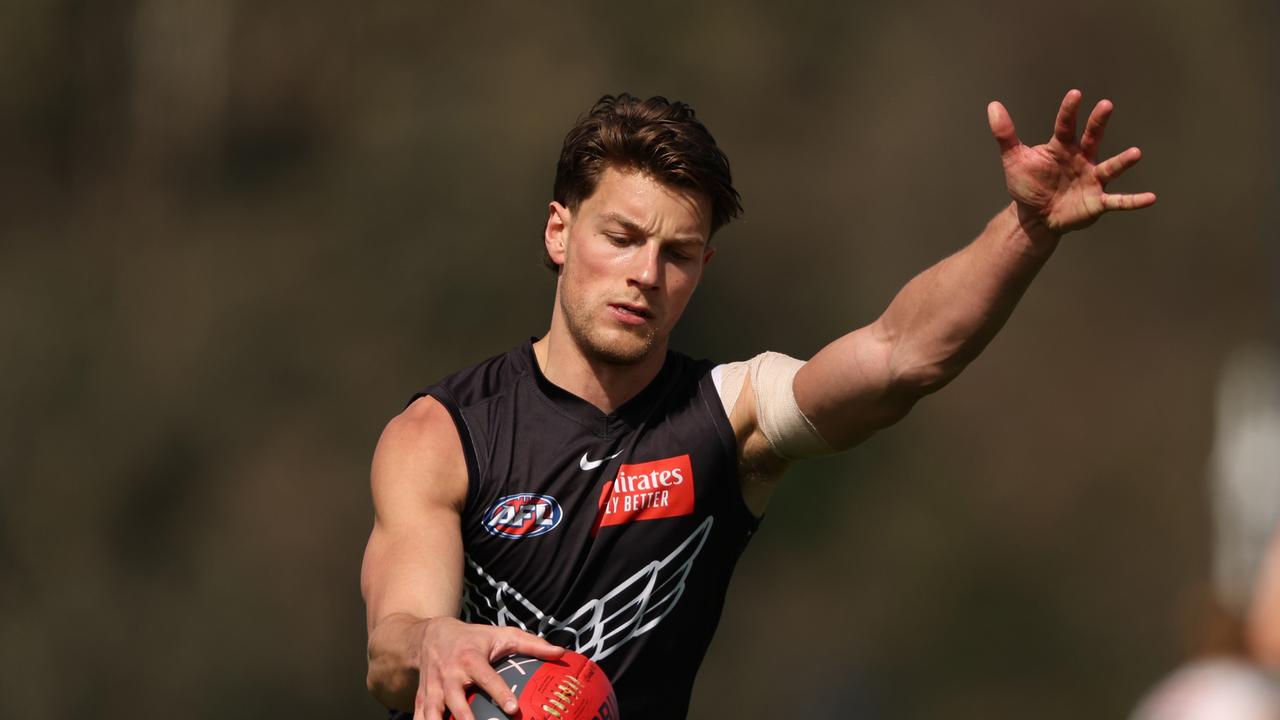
(605, 385)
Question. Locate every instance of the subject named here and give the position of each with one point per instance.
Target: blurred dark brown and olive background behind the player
(235, 236)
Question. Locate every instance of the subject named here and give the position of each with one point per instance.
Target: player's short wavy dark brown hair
(656, 136)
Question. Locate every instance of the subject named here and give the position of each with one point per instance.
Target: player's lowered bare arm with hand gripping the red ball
(420, 657)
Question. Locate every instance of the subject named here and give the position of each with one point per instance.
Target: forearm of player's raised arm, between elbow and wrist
(944, 318)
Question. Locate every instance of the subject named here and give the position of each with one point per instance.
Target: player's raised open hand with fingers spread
(1062, 185)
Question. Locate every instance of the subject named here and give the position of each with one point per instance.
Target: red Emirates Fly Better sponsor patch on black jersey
(648, 491)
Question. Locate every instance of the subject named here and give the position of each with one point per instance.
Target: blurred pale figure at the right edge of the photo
(1238, 673)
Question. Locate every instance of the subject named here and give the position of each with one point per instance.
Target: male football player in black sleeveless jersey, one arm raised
(593, 490)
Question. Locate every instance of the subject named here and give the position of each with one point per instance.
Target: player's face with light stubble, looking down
(630, 257)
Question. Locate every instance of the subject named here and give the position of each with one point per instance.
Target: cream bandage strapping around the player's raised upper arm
(789, 432)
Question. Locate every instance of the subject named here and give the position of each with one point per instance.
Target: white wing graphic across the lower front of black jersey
(602, 626)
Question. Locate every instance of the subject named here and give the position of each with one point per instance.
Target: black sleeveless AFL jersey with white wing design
(614, 535)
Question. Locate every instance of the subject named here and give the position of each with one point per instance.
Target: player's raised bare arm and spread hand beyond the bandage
(944, 318)
